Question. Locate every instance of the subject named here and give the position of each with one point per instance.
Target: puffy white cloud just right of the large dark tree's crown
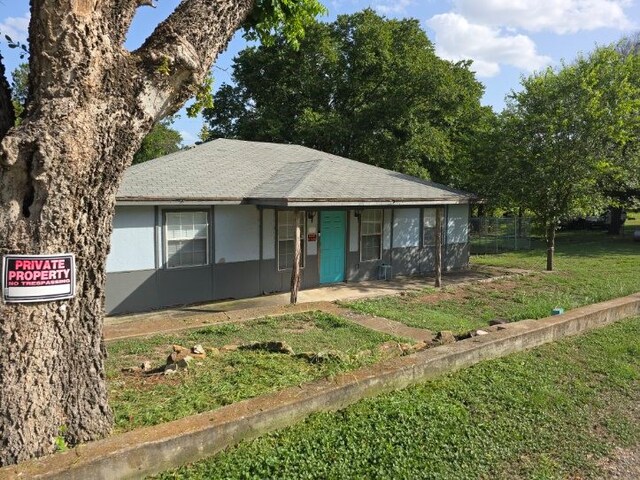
(458, 39)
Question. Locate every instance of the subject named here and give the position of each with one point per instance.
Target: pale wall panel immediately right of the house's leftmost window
(237, 233)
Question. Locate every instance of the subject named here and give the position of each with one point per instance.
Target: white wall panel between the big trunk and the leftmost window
(132, 240)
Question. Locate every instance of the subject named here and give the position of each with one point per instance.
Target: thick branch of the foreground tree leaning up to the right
(178, 55)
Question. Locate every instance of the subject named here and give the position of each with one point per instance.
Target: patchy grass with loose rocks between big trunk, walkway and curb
(222, 379)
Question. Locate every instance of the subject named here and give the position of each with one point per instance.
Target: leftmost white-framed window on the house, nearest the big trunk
(187, 238)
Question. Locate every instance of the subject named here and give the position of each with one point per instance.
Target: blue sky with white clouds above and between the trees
(506, 39)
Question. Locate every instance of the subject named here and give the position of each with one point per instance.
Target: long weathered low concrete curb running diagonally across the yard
(154, 449)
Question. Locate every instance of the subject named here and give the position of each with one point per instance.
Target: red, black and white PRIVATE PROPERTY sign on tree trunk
(38, 278)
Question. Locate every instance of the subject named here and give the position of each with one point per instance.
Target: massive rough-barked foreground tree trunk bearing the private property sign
(91, 102)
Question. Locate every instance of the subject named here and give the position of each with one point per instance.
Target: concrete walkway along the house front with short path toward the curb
(177, 319)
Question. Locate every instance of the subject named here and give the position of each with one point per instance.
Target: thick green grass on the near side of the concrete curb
(548, 413)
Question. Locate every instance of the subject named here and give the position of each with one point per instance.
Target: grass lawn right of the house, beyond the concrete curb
(590, 267)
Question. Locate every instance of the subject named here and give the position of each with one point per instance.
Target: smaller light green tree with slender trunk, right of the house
(568, 132)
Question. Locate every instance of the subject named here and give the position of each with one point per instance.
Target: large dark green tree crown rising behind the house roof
(363, 87)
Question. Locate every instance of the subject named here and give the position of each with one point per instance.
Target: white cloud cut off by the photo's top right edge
(558, 16)
